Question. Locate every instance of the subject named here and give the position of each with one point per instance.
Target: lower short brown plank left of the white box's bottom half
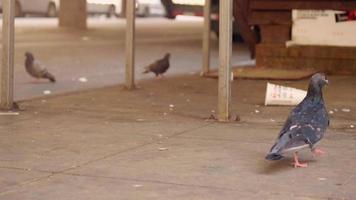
(275, 33)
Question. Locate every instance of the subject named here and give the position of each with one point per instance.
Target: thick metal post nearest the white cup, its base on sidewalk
(225, 50)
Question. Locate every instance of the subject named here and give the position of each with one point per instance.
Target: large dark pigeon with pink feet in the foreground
(306, 124)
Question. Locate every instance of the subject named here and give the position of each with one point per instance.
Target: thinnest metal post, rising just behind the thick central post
(206, 38)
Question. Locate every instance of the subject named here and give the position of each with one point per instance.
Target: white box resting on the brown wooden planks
(320, 27)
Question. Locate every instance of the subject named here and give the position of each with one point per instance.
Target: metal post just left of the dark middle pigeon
(130, 44)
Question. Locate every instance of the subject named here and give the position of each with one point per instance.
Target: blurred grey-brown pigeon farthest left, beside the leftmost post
(35, 69)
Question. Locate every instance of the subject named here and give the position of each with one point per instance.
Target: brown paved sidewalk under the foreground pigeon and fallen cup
(154, 143)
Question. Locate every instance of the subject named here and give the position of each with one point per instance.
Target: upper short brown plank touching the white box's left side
(270, 18)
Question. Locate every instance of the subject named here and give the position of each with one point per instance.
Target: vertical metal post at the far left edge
(7, 67)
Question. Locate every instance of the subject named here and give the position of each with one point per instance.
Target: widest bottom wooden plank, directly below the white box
(333, 60)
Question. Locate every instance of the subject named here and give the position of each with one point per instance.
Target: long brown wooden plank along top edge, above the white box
(299, 4)
